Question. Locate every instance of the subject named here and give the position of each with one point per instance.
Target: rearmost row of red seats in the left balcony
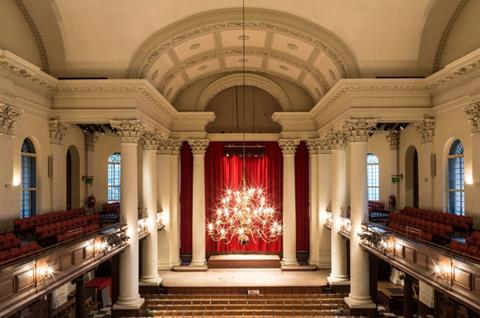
(29, 224)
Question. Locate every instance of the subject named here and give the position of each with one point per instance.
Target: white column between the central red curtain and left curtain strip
(198, 146)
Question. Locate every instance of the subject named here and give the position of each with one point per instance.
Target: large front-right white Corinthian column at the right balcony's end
(358, 131)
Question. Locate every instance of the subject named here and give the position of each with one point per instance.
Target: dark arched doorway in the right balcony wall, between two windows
(411, 177)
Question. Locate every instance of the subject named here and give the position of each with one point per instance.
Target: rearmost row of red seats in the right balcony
(460, 222)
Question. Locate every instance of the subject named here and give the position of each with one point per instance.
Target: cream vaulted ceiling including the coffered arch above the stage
(176, 43)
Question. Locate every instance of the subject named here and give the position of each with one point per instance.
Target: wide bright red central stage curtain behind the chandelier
(223, 172)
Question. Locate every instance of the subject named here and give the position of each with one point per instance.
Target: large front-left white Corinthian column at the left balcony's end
(129, 132)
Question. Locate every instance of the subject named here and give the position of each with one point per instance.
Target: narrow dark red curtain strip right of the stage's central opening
(302, 200)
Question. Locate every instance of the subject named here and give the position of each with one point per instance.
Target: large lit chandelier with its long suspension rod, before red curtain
(244, 213)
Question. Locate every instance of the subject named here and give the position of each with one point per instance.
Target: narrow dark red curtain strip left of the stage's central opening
(186, 190)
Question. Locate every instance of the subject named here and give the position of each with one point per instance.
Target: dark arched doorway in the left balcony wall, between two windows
(73, 178)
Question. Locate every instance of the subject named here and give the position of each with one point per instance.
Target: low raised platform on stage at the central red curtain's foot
(244, 261)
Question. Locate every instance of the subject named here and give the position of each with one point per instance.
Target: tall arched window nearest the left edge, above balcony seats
(28, 201)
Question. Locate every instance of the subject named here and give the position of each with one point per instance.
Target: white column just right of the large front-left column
(149, 194)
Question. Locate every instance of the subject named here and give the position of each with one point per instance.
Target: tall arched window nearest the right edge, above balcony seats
(456, 175)
